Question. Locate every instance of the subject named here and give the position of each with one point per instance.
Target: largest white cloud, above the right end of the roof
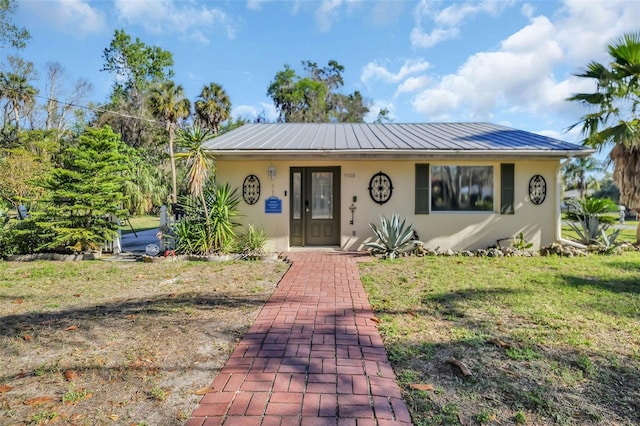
(531, 70)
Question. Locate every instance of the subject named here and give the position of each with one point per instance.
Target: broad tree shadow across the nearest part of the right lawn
(550, 387)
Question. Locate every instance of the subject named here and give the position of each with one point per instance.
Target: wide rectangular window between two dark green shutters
(461, 188)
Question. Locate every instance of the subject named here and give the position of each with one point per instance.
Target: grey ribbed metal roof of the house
(388, 140)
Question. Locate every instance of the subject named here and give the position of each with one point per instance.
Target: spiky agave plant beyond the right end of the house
(588, 218)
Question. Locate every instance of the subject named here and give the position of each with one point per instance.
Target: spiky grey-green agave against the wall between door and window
(394, 237)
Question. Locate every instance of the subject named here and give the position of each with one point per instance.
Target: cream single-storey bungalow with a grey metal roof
(462, 185)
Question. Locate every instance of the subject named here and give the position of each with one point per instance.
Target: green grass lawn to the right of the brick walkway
(547, 340)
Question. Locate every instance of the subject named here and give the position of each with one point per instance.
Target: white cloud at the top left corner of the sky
(75, 17)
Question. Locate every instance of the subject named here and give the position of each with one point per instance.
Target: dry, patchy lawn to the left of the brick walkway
(120, 343)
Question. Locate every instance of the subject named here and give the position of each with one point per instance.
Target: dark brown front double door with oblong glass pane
(315, 206)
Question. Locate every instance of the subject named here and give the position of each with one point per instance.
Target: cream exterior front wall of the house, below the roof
(446, 230)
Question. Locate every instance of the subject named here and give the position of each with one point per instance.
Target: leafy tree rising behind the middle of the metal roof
(313, 98)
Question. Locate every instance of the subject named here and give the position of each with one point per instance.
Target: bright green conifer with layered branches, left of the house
(84, 191)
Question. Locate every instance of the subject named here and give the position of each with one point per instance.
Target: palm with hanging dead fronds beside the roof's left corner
(199, 164)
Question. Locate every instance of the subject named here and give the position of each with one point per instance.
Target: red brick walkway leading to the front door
(312, 357)
